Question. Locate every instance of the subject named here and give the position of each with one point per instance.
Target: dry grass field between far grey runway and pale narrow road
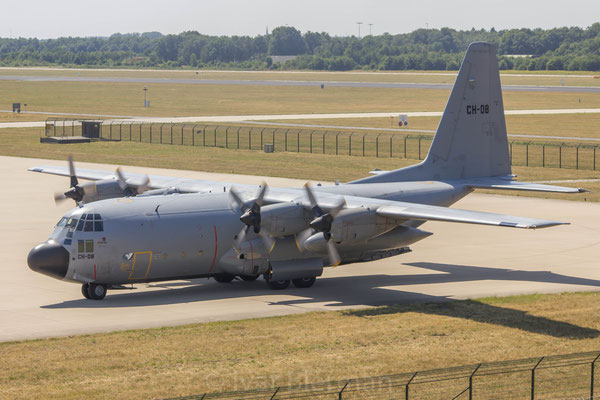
(126, 99)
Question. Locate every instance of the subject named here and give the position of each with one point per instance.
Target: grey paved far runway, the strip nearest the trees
(199, 81)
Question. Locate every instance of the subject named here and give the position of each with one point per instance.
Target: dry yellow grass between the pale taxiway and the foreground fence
(306, 348)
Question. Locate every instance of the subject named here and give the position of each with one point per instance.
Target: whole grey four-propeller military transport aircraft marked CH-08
(134, 229)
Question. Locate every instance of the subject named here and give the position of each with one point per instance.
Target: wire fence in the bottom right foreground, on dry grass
(562, 376)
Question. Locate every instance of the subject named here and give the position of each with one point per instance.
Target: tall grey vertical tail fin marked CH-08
(471, 138)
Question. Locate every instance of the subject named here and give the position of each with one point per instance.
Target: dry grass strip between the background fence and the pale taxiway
(316, 167)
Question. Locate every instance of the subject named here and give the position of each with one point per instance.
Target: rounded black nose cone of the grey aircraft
(49, 258)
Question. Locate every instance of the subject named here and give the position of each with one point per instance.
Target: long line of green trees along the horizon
(566, 48)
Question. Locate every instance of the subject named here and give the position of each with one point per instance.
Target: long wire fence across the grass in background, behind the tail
(320, 141)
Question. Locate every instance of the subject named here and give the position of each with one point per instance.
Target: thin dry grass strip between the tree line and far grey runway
(540, 78)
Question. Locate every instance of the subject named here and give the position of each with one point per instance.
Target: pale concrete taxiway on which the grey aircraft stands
(457, 262)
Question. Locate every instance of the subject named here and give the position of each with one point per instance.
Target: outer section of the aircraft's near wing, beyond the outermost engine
(433, 213)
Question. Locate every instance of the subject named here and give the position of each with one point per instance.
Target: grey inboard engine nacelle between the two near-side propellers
(283, 219)
